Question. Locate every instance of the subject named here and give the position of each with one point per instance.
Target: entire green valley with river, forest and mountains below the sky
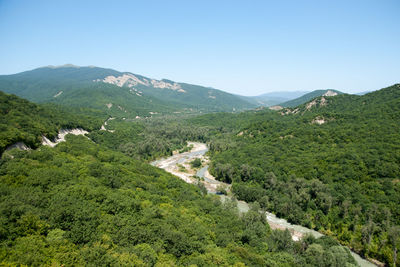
(318, 176)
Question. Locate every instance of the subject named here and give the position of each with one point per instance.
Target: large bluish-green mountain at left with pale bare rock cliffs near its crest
(116, 92)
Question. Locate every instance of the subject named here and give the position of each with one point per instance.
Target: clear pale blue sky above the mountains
(246, 47)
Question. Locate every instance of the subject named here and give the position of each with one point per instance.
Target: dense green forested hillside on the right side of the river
(333, 166)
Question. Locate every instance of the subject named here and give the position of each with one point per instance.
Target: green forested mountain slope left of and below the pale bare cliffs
(74, 86)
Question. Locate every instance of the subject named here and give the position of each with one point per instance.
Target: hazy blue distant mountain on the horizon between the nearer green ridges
(273, 98)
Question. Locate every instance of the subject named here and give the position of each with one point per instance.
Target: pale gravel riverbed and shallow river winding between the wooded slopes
(179, 165)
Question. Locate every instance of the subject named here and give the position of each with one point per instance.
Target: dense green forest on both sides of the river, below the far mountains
(332, 166)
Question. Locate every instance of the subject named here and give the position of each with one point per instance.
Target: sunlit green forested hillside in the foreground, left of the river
(80, 203)
